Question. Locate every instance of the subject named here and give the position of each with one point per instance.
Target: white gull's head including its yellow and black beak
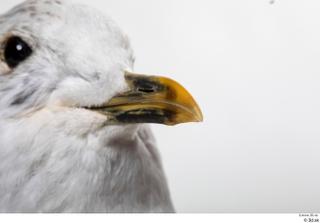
(70, 63)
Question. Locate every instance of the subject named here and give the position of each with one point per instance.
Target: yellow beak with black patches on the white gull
(151, 99)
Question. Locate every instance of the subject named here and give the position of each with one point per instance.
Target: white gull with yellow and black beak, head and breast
(73, 116)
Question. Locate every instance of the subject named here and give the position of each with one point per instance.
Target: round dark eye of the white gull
(16, 50)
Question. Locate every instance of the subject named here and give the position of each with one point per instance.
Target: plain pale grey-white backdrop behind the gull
(254, 69)
